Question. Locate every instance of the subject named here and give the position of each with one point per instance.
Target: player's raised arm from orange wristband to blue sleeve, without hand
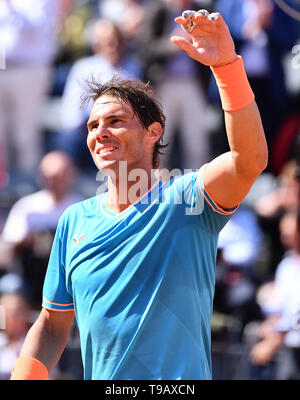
(239, 168)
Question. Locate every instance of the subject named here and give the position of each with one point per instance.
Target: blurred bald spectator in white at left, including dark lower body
(32, 221)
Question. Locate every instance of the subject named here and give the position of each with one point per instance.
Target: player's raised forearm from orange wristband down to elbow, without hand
(242, 119)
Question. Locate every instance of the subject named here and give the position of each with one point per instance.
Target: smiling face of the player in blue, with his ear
(116, 134)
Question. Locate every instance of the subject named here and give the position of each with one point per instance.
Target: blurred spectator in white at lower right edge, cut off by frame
(282, 308)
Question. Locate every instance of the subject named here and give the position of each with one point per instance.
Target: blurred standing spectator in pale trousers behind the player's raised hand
(179, 81)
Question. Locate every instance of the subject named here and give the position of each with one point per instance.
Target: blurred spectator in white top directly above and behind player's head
(110, 56)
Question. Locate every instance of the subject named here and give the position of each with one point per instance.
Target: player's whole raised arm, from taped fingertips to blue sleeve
(229, 177)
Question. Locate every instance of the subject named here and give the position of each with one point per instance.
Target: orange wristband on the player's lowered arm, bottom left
(29, 368)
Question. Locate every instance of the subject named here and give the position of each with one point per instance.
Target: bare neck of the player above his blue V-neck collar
(127, 187)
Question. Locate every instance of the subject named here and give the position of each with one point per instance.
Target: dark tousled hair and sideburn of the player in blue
(139, 95)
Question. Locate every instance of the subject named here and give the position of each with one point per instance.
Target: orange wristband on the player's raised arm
(235, 90)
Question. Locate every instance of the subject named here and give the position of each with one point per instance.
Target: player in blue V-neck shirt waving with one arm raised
(140, 274)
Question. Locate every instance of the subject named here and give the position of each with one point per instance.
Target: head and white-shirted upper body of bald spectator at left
(40, 211)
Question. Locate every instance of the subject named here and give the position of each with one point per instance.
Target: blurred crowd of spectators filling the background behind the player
(51, 48)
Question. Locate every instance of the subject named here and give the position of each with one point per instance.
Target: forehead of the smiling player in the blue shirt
(107, 105)
